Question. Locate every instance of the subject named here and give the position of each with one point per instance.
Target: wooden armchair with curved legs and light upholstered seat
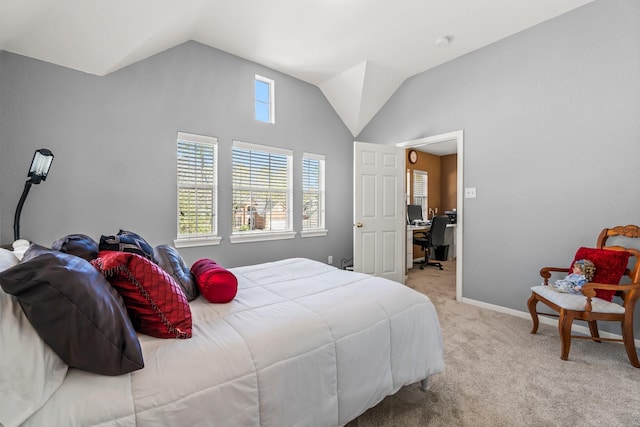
(589, 308)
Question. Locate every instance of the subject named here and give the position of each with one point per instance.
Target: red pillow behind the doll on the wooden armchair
(610, 266)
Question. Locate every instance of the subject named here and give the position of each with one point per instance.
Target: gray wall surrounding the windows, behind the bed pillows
(114, 142)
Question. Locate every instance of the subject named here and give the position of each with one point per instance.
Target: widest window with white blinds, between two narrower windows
(261, 193)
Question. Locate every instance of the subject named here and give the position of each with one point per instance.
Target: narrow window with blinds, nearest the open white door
(313, 195)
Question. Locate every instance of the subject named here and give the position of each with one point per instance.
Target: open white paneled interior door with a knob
(379, 211)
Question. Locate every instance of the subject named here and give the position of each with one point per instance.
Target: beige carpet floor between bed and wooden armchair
(498, 374)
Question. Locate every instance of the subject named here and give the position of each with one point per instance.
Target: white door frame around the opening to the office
(458, 137)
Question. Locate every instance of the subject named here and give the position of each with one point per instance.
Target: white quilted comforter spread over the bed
(302, 344)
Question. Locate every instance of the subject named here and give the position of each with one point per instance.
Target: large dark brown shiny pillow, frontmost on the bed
(75, 310)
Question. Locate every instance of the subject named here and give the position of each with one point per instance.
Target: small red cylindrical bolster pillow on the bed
(215, 283)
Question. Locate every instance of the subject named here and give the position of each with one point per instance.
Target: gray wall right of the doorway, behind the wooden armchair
(551, 120)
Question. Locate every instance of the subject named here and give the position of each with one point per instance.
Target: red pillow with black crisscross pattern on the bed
(155, 302)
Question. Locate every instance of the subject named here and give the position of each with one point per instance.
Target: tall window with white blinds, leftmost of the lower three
(197, 190)
